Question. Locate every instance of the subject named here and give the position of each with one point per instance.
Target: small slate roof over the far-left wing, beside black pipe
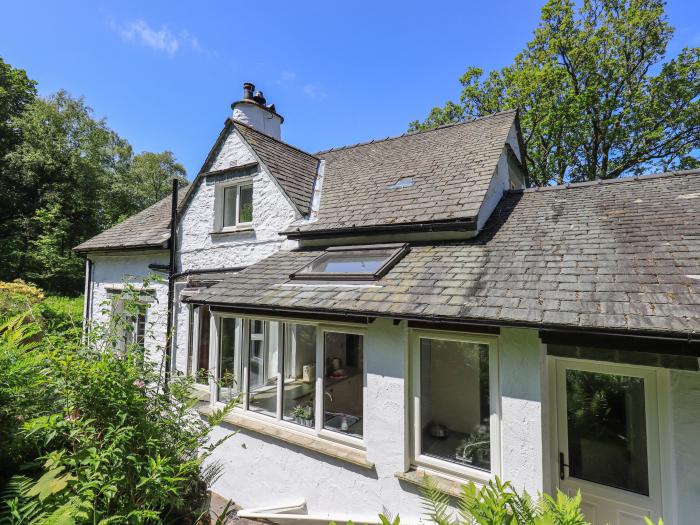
(149, 228)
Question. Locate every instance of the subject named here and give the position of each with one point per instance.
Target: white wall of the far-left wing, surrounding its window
(112, 271)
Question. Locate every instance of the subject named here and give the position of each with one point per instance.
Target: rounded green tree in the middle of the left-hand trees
(59, 175)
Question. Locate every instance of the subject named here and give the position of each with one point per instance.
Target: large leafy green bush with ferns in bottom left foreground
(112, 444)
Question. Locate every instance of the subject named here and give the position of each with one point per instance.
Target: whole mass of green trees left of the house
(65, 176)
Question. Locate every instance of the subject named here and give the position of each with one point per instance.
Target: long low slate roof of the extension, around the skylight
(622, 254)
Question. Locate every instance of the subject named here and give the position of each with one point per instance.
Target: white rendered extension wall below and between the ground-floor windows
(262, 471)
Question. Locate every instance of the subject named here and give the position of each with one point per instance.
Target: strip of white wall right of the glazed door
(685, 402)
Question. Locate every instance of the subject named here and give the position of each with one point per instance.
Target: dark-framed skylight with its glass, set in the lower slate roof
(352, 263)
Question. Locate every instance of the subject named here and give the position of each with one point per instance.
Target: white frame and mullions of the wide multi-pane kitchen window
(242, 337)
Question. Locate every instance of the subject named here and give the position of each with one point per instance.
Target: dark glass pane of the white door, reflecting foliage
(607, 430)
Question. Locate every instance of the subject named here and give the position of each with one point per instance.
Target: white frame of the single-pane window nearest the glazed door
(414, 420)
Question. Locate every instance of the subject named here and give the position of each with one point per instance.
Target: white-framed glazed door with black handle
(608, 444)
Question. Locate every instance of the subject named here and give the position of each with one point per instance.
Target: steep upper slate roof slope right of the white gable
(450, 167)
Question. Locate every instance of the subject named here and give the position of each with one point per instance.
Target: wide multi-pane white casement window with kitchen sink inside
(293, 373)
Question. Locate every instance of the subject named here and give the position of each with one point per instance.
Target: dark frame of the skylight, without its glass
(400, 251)
